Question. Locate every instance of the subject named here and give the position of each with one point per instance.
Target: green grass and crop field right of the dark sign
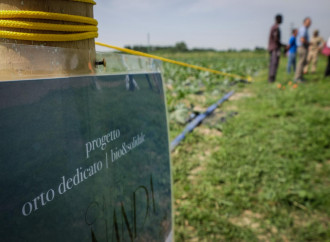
(258, 168)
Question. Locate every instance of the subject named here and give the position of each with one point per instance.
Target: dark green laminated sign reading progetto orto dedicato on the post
(85, 159)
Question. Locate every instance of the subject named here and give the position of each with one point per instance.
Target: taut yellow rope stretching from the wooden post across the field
(134, 52)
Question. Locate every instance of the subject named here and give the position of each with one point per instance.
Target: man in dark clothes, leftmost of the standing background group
(274, 47)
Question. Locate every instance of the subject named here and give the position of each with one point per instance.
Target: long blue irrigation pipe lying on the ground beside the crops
(196, 121)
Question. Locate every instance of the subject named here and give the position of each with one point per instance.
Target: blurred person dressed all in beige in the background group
(315, 45)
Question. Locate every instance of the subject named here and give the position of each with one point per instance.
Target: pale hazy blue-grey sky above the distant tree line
(218, 24)
